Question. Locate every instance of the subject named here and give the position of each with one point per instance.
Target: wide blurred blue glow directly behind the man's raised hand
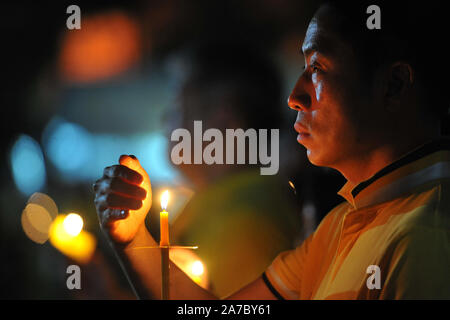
(81, 156)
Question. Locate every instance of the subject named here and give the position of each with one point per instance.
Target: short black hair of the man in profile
(411, 31)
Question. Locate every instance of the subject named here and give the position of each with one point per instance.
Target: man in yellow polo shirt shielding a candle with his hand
(369, 113)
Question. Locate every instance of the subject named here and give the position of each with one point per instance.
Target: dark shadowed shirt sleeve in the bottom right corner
(419, 266)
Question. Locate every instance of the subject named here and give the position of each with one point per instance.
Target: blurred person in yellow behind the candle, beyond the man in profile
(239, 218)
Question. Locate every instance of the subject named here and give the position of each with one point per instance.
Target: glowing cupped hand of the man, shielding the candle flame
(123, 197)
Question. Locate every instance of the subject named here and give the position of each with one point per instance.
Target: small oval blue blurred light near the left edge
(27, 164)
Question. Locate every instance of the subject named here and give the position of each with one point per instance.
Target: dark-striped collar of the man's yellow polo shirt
(428, 162)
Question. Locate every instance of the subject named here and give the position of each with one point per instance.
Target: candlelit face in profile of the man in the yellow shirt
(338, 111)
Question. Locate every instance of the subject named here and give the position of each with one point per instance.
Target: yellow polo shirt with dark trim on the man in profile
(397, 221)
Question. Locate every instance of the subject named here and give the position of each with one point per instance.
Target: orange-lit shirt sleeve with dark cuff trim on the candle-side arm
(284, 276)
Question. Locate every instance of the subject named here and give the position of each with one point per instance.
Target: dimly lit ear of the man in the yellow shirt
(400, 77)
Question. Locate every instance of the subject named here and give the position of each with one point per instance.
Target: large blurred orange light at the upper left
(106, 45)
